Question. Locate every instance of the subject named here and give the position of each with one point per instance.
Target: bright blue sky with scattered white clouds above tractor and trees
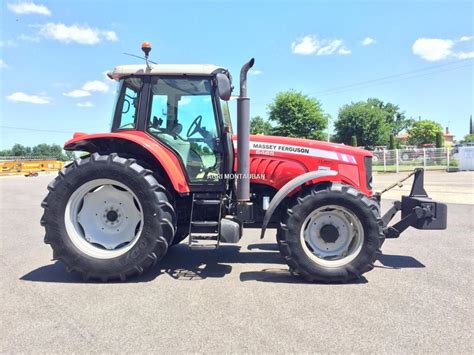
(54, 53)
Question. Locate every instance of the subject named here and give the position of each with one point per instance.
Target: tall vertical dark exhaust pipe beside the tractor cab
(243, 136)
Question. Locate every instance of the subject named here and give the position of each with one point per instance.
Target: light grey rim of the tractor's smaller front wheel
(332, 236)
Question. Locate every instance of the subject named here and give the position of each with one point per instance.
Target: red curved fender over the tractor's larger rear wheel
(130, 142)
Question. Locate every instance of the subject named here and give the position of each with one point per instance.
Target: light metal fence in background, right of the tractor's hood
(397, 160)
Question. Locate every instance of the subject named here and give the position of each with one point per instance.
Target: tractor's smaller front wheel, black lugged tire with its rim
(331, 235)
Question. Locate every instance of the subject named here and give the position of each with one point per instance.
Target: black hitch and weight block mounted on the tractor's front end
(418, 210)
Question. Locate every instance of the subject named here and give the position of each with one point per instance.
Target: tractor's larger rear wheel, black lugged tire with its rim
(107, 217)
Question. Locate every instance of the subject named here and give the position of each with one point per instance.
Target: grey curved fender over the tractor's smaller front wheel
(289, 187)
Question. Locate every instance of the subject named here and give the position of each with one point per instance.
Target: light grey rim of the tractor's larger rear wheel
(104, 218)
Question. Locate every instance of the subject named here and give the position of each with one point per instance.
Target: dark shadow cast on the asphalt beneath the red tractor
(185, 264)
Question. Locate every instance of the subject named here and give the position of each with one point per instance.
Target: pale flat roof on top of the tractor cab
(165, 69)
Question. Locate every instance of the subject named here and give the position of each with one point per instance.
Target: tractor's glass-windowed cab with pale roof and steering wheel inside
(181, 107)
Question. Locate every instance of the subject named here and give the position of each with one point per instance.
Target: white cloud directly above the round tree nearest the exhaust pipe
(310, 44)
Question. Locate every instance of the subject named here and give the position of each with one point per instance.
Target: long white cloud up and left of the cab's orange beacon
(76, 33)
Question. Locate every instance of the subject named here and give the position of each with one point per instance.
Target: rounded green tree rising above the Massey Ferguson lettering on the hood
(297, 115)
